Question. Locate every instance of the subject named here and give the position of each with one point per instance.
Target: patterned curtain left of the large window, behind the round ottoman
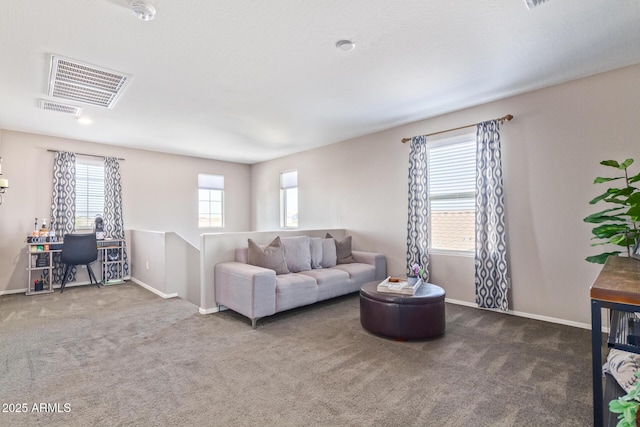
(418, 220)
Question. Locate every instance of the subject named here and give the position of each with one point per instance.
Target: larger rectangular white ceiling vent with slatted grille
(85, 83)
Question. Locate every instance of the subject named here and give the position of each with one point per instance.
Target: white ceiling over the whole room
(252, 80)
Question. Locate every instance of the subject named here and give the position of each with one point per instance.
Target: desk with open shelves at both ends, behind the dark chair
(41, 260)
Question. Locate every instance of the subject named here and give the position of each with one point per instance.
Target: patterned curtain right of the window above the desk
(113, 221)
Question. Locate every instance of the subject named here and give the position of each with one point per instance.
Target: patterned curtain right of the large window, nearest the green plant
(491, 248)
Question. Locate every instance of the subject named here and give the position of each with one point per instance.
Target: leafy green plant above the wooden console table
(616, 225)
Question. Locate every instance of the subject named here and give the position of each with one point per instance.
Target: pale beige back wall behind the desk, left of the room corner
(159, 193)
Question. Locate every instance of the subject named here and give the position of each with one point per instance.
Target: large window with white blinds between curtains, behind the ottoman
(452, 182)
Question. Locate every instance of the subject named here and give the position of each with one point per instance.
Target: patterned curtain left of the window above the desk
(63, 205)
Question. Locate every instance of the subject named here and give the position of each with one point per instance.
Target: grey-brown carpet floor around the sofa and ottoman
(120, 355)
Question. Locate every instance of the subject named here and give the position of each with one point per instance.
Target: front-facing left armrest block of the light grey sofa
(246, 289)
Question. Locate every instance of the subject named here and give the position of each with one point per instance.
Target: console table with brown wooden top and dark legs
(617, 288)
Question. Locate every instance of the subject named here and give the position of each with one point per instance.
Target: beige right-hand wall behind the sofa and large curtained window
(551, 152)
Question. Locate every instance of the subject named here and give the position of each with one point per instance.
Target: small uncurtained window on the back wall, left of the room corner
(210, 200)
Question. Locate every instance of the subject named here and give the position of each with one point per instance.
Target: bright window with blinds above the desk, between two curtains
(89, 191)
